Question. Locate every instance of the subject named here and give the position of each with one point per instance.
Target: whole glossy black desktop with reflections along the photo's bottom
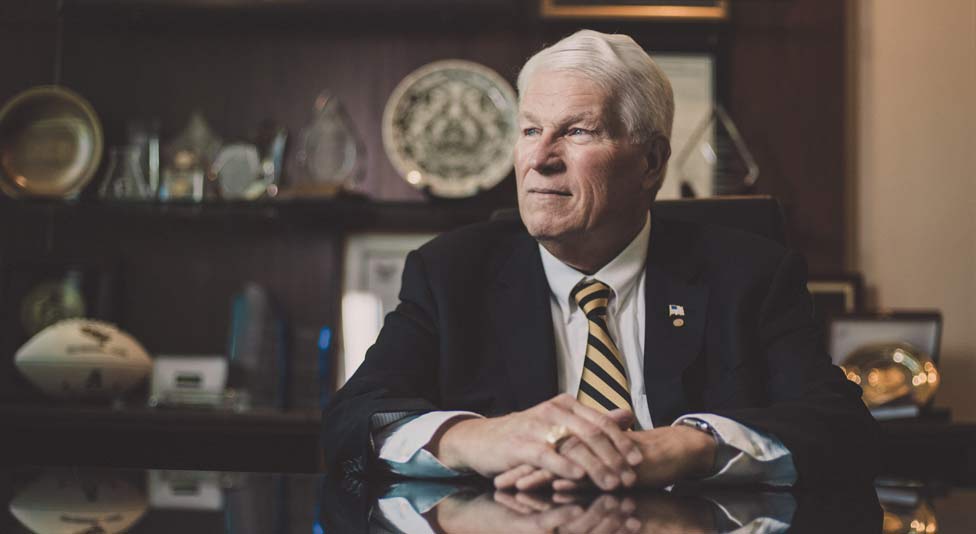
(87, 501)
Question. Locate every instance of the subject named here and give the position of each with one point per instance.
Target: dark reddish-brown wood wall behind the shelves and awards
(780, 73)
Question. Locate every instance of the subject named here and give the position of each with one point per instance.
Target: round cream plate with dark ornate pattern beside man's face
(450, 126)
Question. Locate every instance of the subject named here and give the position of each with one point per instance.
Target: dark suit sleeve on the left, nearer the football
(397, 379)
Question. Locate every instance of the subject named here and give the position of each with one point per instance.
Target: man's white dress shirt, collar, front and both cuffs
(744, 455)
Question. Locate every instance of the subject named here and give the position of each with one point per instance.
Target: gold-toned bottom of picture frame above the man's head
(637, 9)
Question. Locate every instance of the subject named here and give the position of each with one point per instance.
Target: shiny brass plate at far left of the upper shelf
(50, 143)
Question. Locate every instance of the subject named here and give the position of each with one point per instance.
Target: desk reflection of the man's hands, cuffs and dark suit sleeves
(438, 507)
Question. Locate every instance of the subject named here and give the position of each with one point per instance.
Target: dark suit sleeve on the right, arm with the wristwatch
(813, 410)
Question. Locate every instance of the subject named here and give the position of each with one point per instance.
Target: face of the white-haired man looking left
(576, 168)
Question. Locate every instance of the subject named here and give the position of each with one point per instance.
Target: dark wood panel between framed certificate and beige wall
(785, 90)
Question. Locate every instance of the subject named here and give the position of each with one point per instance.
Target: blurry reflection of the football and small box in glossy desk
(102, 501)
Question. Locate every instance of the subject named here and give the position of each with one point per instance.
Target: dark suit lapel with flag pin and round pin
(669, 350)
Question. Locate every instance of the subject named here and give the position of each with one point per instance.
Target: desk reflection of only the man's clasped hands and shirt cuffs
(430, 507)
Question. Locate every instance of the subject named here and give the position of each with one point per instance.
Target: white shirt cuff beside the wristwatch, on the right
(745, 455)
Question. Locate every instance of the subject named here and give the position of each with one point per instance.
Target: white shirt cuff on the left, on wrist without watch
(401, 445)
